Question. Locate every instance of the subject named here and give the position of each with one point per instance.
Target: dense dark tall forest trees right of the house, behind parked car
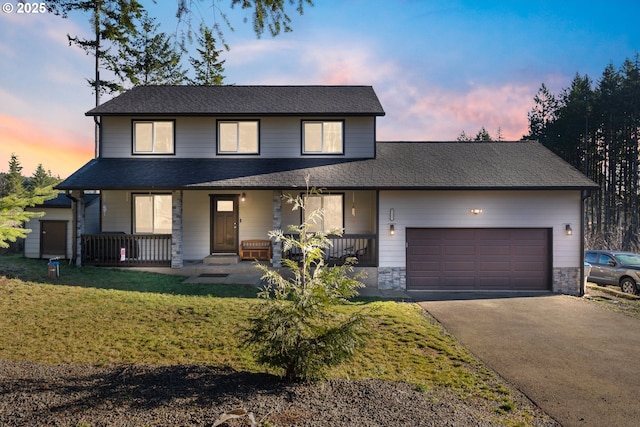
(595, 126)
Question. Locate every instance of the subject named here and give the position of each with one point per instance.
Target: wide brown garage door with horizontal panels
(478, 259)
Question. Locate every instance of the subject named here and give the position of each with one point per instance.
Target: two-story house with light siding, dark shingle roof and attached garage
(188, 172)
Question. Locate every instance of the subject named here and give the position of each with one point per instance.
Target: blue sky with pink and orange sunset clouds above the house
(438, 67)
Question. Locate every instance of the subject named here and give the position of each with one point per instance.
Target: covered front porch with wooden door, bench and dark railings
(184, 227)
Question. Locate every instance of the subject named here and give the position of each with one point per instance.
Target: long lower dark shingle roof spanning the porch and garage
(399, 165)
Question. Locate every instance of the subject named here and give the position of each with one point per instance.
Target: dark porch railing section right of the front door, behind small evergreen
(361, 246)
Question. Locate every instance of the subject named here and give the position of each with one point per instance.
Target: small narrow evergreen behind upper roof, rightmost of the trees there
(208, 69)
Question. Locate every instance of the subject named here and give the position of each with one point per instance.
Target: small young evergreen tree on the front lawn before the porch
(297, 328)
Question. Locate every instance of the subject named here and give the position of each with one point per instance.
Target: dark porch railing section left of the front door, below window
(126, 250)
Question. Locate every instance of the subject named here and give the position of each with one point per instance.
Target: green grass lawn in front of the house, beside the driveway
(103, 316)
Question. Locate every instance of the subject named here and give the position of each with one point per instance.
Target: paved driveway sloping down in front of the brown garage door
(576, 360)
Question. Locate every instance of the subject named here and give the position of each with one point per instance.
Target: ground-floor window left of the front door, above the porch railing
(152, 213)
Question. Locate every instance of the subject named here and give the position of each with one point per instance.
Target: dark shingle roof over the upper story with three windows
(243, 100)
